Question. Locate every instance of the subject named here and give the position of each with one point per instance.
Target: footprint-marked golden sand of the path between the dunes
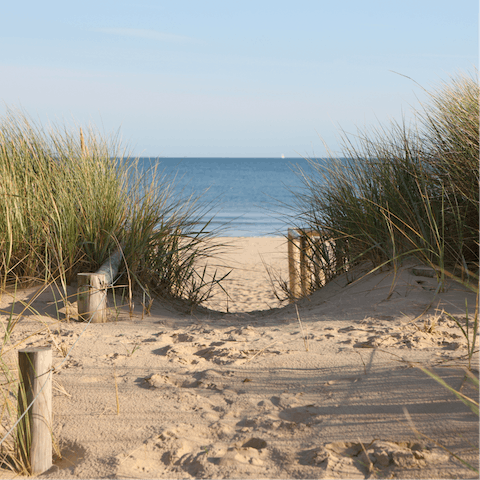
(255, 393)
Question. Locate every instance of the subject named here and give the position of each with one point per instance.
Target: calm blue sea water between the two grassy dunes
(250, 194)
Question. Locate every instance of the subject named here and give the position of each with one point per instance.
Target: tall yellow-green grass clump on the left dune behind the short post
(69, 200)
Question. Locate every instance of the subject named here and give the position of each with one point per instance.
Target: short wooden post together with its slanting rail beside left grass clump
(92, 290)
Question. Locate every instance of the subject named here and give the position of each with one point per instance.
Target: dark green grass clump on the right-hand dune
(405, 190)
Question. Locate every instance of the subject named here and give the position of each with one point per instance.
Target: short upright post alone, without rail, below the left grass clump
(92, 297)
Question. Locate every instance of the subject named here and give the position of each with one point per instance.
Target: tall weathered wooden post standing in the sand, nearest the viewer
(34, 434)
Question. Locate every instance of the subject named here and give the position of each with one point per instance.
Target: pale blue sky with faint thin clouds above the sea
(225, 78)
